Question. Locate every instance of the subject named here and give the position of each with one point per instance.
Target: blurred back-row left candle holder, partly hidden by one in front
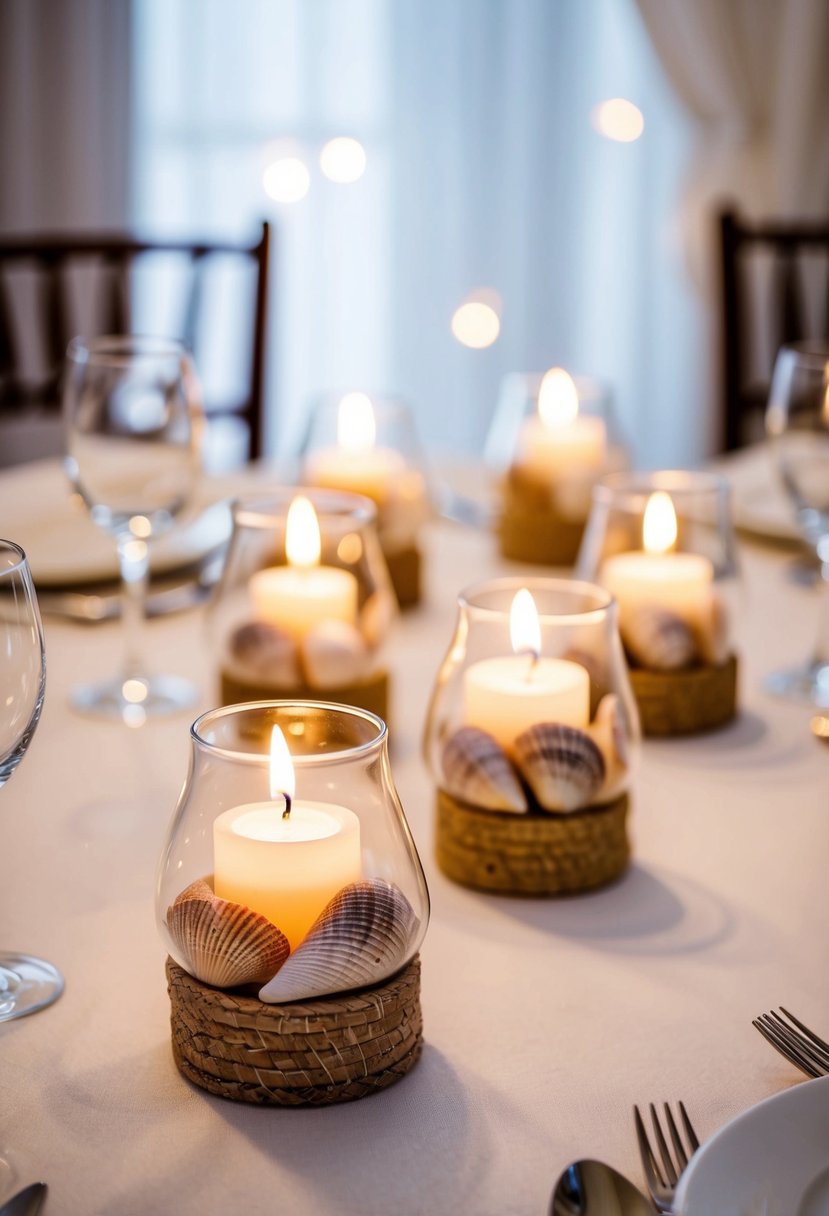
(369, 446)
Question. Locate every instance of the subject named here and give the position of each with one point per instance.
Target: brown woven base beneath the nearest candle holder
(309, 1054)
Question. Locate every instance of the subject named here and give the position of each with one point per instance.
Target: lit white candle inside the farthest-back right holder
(559, 441)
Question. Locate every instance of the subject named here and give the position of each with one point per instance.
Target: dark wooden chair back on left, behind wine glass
(55, 288)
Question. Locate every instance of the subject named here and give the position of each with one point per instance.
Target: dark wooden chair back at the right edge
(775, 282)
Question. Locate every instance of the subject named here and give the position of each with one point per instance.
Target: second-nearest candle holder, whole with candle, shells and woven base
(532, 739)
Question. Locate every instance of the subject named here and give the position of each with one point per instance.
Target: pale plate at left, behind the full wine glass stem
(65, 548)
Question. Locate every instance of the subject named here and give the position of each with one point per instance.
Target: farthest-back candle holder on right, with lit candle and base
(554, 436)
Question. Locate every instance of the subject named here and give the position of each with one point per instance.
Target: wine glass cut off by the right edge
(798, 424)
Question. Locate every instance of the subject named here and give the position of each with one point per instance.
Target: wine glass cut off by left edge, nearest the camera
(26, 984)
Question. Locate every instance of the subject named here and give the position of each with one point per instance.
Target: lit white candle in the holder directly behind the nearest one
(302, 595)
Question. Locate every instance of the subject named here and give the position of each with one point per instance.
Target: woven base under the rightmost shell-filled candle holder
(686, 702)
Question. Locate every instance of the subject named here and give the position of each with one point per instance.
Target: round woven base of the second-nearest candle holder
(533, 854)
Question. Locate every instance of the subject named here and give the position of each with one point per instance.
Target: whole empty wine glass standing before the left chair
(133, 425)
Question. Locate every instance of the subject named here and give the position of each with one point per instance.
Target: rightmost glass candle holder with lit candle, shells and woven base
(664, 545)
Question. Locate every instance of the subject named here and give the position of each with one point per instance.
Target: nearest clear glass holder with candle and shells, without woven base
(289, 868)
